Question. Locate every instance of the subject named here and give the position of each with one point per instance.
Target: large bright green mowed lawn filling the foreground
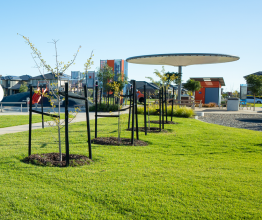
(195, 171)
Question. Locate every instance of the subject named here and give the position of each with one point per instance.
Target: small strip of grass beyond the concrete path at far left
(14, 120)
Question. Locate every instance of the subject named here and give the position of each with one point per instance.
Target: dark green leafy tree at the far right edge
(254, 84)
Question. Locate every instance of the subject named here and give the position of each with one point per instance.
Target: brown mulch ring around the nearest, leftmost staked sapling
(53, 159)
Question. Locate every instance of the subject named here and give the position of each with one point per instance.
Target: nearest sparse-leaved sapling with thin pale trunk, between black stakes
(58, 71)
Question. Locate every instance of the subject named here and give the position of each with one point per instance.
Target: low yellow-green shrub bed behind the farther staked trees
(178, 111)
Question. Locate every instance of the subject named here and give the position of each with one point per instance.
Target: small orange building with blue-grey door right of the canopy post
(211, 89)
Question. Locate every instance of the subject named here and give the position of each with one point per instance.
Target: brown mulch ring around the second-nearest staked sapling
(114, 141)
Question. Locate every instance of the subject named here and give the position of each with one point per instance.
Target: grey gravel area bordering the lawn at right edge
(245, 121)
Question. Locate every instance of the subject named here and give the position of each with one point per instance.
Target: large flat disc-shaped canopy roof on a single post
(182, 59)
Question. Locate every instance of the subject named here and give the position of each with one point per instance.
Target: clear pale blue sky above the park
(122, 29)
